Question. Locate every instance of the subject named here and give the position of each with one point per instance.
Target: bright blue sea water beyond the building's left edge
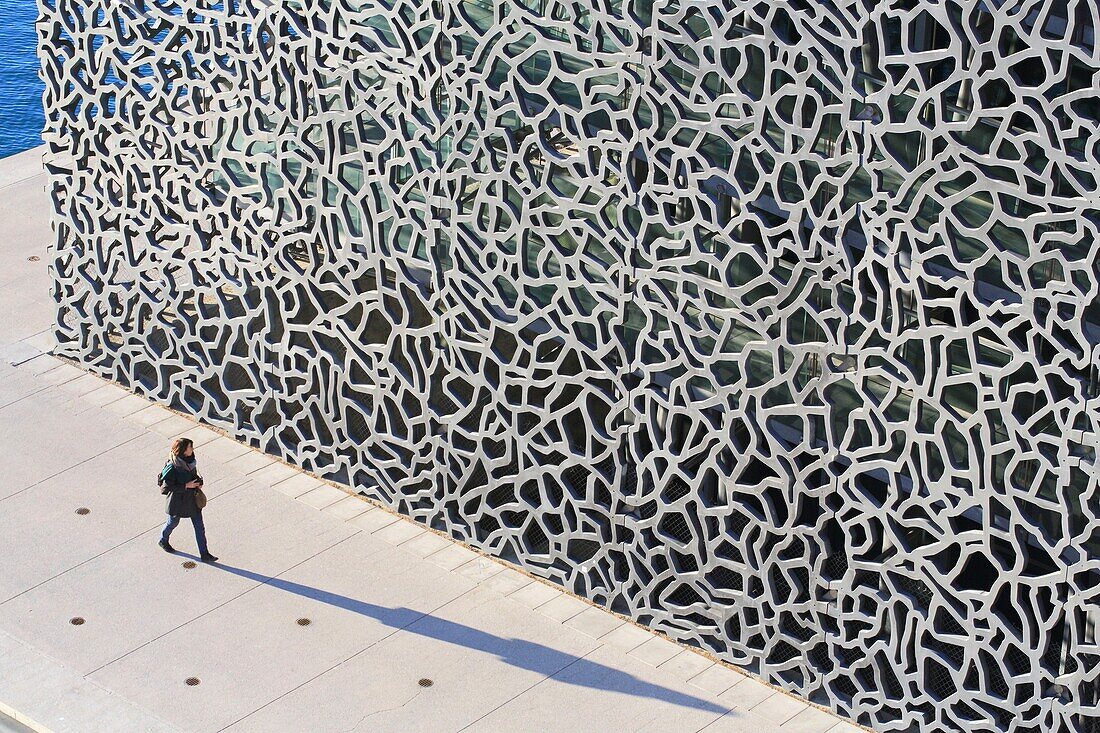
(21, 119)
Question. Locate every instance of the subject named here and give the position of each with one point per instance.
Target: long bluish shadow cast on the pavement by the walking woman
(516, 652)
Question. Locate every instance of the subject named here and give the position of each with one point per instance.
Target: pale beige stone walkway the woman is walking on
(326, 615)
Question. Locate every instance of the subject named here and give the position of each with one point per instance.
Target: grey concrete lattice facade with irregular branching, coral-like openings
(774, 325)
